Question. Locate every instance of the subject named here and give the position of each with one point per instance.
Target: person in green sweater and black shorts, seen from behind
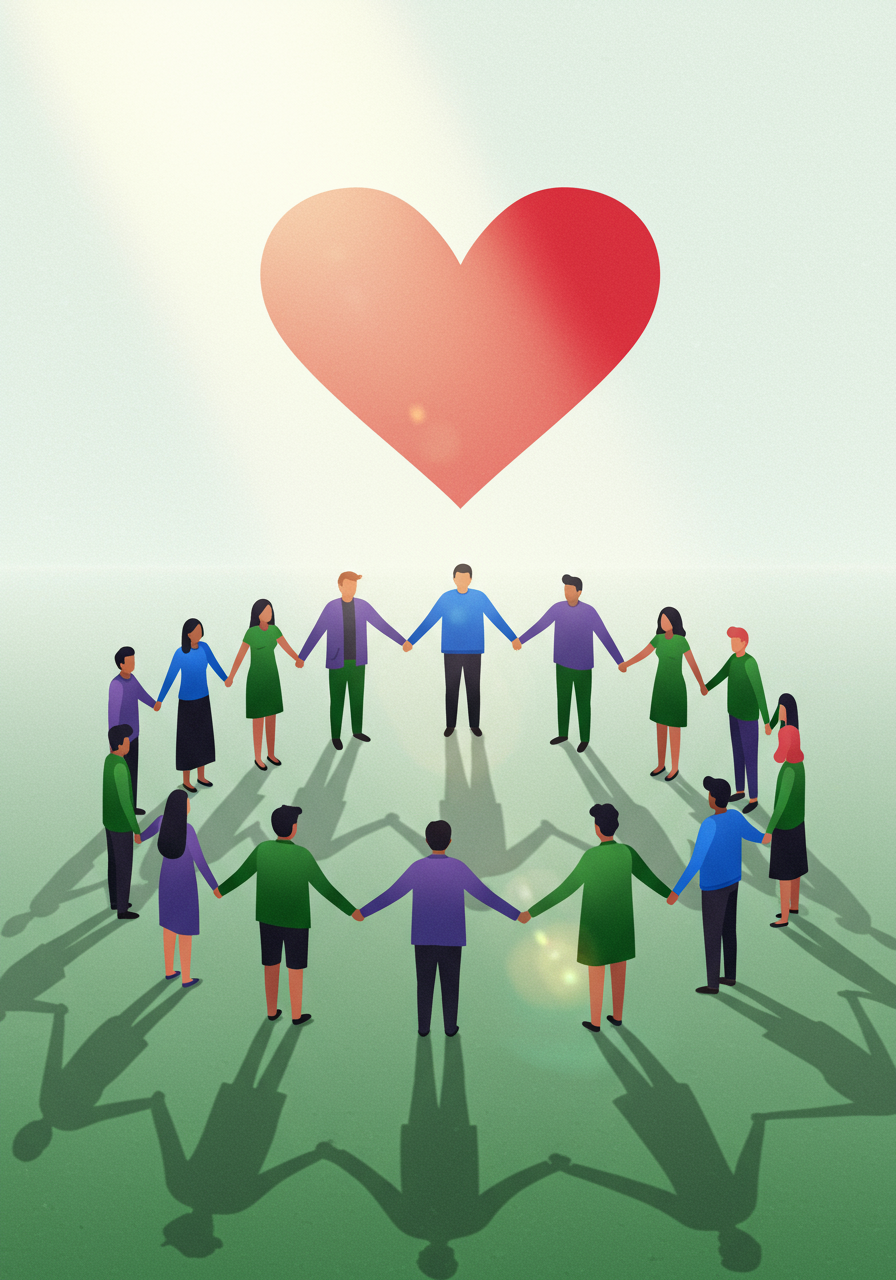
(284, 872)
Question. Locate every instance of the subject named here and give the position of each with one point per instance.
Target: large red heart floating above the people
(460, 365)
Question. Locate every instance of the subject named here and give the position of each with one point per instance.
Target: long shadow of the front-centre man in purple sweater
(440, 1199)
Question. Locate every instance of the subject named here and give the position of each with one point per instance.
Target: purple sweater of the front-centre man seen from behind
(438, 884)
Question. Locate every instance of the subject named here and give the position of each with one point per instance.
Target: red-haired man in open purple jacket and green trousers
(346, 625)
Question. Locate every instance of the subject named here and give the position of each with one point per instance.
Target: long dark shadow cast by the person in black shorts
(225, 1173)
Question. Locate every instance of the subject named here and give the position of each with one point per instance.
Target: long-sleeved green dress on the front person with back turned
(607, 925)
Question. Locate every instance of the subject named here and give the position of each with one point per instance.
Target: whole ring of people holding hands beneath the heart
(285, 871)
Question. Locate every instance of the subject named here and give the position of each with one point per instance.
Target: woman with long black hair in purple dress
(179, 897)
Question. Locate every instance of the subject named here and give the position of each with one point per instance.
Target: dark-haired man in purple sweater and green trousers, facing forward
(575, 627)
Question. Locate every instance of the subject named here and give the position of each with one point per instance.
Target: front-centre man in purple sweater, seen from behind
(438, 926)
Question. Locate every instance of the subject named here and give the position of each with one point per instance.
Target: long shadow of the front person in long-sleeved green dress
(668, 1118)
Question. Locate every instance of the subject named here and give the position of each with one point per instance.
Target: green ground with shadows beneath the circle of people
(751, 1132)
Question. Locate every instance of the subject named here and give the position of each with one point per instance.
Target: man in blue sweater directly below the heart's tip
(463, 643)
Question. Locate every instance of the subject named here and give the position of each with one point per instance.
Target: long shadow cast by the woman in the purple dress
(71, 1094)
